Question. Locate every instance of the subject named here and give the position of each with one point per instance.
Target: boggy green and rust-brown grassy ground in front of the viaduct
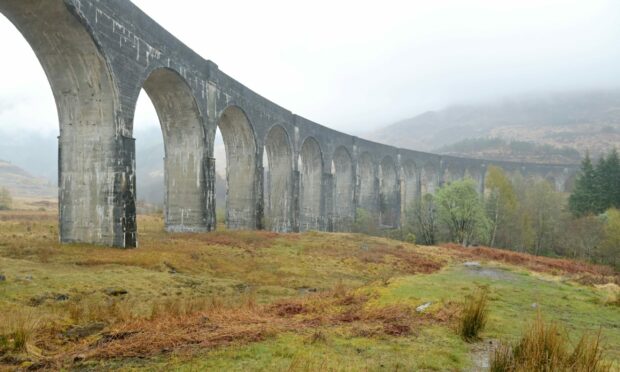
(265, 301)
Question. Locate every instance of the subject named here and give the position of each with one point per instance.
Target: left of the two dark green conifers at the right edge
(584, 199)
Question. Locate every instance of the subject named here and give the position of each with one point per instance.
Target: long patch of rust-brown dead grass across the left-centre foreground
(181, 330)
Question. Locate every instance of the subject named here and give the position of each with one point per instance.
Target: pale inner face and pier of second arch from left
(184, 147)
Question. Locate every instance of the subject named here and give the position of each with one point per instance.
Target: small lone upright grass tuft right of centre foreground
(474, 316)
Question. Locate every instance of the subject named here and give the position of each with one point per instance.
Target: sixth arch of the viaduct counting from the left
(343, 190)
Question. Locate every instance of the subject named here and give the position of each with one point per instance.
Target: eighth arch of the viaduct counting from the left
(389, 201)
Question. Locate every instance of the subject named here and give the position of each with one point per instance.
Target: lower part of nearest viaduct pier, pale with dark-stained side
(97, 189)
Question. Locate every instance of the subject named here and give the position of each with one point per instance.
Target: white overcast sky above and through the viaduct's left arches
(358, 65)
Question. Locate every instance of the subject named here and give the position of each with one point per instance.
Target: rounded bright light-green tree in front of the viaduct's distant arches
(461, 211)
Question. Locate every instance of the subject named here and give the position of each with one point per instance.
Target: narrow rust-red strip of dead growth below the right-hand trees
(583, 272)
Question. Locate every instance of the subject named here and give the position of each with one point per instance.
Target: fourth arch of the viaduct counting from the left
(279, 194)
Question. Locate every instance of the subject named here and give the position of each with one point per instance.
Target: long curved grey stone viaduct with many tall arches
(99, 54)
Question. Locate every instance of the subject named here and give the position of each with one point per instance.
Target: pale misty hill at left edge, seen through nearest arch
(21, 183)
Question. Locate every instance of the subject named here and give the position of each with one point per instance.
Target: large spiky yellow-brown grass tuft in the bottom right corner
(545, 347)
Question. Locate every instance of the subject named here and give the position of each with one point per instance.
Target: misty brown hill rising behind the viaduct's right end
(585, 121)
